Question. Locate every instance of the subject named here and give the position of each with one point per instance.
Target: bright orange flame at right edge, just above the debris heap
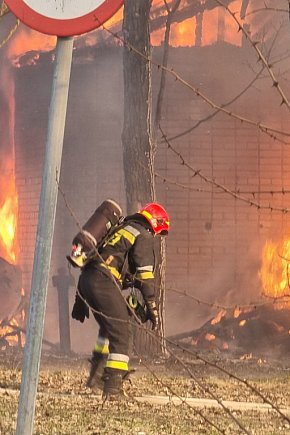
(275, 269)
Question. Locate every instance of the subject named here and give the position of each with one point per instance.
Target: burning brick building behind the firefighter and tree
(215, 248)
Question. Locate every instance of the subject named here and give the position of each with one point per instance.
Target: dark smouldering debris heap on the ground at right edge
(262, 330)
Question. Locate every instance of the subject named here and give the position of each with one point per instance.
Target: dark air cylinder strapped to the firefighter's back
(92, 235)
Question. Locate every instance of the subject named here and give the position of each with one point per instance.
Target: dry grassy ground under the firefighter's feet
(65, 406)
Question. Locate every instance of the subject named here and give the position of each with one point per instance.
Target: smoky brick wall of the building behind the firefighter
(214, 249)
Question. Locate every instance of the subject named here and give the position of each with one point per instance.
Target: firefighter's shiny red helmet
(157, 216)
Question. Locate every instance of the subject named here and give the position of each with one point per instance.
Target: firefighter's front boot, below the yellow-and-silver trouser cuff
(113, 384)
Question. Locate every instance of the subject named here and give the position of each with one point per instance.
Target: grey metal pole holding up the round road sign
(44, 236)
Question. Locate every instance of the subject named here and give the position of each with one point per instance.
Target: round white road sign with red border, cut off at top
(64, 17)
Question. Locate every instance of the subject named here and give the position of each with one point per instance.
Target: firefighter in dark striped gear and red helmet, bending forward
(130, 250)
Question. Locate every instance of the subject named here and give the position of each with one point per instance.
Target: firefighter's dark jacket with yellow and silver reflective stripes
(130, 249)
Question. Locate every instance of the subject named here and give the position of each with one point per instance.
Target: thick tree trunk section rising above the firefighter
(136, 136)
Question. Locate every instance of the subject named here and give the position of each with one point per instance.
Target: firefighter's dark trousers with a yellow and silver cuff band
(102, 295)
